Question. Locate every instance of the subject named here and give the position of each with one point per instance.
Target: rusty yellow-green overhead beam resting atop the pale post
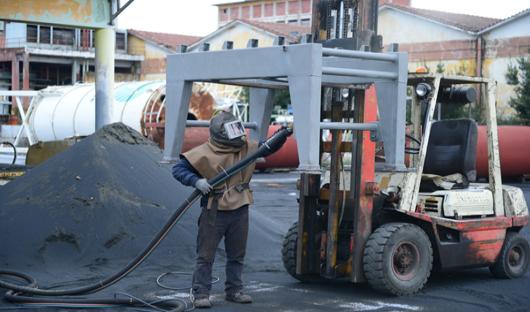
(73, 13)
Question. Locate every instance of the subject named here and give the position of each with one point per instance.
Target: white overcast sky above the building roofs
(199, 17)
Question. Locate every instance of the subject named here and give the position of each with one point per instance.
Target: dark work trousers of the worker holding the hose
(213, 226)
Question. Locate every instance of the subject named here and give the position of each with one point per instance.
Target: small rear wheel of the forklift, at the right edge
(514, 257)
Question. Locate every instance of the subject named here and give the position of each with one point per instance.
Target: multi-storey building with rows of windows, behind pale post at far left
(39, 56)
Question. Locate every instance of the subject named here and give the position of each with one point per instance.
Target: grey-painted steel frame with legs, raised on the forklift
(304, 69)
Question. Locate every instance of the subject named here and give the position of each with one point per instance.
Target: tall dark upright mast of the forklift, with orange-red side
(337, 216)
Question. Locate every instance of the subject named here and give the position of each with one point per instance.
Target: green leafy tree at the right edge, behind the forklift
(518, 75)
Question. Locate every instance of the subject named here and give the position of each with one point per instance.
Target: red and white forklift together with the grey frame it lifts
(408, 202)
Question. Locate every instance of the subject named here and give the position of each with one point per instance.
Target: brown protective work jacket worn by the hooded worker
(210, 159)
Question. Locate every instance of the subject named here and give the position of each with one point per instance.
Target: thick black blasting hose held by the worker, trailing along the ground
(271, 145)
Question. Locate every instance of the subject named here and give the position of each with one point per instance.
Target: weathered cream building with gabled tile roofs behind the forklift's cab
(459, 43)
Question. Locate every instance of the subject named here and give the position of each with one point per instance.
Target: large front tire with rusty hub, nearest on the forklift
(398, 259)
